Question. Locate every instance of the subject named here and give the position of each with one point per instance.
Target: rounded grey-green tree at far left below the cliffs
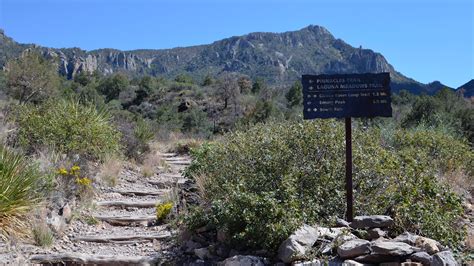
(31, 78)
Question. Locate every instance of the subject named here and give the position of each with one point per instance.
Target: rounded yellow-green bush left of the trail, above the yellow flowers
(68, 127)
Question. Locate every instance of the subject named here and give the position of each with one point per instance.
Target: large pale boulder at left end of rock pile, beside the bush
(296, 246)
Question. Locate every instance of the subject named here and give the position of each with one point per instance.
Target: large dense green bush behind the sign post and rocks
(261, 184)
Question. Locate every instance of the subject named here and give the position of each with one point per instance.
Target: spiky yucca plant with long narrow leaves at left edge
(18, 193)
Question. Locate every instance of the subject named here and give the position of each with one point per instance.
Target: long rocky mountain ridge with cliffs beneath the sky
(280, 58)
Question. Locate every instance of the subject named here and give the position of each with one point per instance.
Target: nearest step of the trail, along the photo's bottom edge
(82, 259)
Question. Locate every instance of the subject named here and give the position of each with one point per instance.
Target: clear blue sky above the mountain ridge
(424, 39)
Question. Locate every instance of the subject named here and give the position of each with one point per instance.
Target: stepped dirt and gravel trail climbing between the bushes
(124, 230)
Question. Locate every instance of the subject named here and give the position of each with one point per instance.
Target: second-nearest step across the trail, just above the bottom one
(123, 238)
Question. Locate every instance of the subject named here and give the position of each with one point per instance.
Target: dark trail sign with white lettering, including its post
(346, 96)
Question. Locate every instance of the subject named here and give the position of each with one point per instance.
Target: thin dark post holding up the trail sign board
(349, 196)
